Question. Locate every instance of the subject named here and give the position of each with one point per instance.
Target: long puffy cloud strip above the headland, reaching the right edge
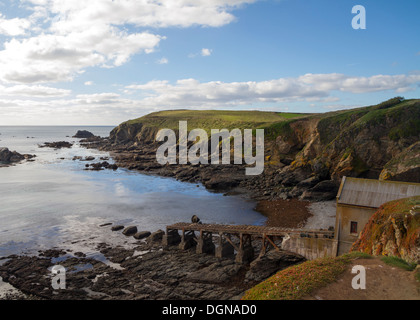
(191, 93)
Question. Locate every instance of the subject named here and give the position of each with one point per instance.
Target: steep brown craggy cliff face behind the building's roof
(377, 142)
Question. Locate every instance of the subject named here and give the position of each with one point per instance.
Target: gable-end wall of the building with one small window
(345, 215)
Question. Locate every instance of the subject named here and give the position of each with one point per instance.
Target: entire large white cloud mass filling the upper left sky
(65, 37)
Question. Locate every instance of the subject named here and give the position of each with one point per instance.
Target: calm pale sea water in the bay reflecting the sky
(53, 202)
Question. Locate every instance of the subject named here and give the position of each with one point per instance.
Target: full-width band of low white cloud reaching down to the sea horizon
(47, 105)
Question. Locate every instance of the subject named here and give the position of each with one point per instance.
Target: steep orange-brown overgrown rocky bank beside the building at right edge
(394, 230)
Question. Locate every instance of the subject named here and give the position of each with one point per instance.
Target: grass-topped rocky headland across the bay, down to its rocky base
(306, 155)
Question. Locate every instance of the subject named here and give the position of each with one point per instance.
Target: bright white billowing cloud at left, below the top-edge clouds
(52, 58)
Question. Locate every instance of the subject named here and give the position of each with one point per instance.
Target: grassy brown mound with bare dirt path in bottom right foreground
(301, 281)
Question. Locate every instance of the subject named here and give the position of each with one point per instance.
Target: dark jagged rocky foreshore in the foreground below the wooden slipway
(147, 271)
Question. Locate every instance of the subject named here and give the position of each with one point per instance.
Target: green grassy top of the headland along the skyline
(275, 123)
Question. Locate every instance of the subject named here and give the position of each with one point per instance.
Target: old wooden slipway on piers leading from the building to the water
(226, 245)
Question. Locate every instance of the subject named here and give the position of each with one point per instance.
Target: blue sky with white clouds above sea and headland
(102, 62)
